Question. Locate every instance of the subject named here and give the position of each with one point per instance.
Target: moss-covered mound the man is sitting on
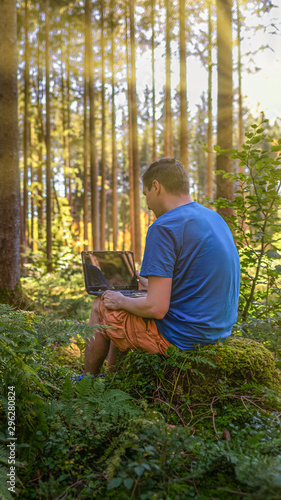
(202, 373)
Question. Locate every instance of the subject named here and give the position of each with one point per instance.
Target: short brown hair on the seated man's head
(170, 173)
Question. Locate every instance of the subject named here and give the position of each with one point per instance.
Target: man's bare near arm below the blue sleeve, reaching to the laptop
(154, 305)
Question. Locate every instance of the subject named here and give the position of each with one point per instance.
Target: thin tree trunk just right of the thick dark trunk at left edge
(25, 228)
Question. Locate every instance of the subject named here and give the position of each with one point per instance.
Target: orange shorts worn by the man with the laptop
(132, 332)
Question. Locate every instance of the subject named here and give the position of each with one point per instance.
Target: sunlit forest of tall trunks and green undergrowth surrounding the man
(91, 93)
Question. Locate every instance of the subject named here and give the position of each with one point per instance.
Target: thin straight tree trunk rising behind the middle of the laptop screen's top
(114, 205)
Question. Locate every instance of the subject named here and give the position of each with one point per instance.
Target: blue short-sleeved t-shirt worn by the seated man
(194, 246)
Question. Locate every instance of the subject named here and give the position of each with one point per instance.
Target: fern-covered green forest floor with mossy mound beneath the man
(188, 426)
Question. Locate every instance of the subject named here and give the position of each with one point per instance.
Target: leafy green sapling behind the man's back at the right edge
(256, 221)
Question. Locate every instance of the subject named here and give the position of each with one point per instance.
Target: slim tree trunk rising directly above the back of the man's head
(183, 98)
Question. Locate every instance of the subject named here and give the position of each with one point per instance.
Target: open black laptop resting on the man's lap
(110, 270)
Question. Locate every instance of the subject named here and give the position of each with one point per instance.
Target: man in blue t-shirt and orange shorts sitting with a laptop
(191, 271)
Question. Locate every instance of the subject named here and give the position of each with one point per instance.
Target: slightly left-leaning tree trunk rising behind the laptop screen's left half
(93, 153)
